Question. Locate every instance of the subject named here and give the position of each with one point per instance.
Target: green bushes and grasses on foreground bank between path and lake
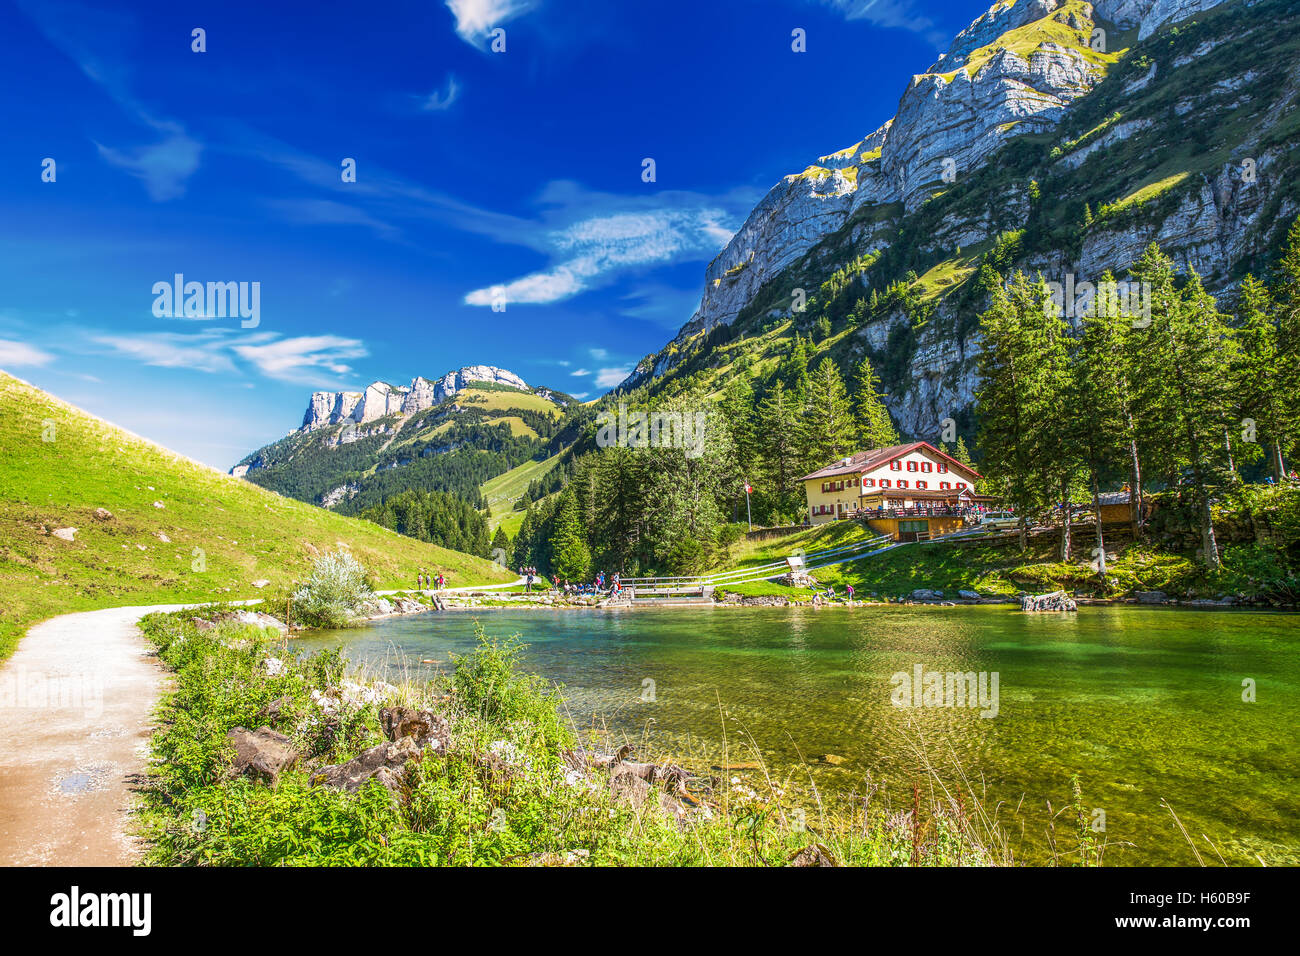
(497, 798)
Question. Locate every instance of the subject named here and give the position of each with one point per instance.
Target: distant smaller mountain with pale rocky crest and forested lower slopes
(354, 449)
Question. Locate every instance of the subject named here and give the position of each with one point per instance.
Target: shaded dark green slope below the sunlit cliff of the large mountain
(1190, 140)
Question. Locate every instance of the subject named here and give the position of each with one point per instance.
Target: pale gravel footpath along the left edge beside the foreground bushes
(76, 706)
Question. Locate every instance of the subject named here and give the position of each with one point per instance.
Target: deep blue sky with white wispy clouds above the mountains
(476, 171)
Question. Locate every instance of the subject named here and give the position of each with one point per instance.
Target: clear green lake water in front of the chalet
(1139, 704)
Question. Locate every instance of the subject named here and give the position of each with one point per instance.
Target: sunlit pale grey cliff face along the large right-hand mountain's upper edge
(950, 122)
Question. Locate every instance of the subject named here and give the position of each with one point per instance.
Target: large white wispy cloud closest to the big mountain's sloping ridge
(592, 236)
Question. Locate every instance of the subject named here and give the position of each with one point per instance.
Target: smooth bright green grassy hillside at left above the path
(179, 531)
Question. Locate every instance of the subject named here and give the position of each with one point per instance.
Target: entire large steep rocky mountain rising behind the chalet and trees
(1054, 136)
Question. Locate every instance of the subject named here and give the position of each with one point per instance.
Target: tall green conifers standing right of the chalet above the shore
(1176, 397)
